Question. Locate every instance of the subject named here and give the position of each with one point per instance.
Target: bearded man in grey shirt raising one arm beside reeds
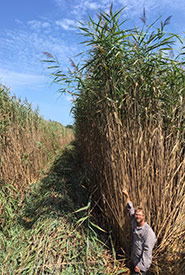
(143, 239)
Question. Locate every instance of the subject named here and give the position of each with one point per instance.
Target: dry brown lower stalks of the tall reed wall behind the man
(151, 166)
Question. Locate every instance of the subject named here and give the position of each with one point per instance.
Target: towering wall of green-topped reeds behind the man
(130, 123)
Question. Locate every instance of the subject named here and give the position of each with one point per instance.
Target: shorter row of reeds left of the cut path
(27, 141)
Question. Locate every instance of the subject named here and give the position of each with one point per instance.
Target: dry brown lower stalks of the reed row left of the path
(25, 151)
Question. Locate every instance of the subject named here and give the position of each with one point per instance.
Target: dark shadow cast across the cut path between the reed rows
(59, 193)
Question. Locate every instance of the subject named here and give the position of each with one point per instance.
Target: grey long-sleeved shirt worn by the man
(143, 242)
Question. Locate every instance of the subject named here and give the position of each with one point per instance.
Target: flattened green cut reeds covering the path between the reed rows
(41, 235)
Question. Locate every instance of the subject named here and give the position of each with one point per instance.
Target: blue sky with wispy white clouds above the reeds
(31, 27)
